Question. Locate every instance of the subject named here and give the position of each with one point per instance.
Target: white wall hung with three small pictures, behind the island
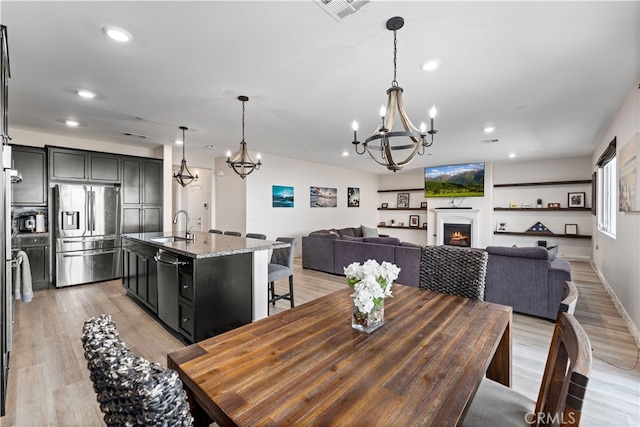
(261, 217)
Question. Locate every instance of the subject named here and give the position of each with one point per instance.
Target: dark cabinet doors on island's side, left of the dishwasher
(139, 273)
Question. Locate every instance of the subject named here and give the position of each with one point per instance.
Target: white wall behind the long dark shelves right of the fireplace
(570, 169)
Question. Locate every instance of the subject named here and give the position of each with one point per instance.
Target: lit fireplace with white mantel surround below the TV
(457, 227)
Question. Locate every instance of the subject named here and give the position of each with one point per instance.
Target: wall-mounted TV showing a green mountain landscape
(465, 180)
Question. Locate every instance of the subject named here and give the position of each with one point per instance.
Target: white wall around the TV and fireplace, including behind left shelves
(414, 178)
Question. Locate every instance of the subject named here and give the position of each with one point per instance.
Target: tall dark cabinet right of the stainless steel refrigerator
(141, 195)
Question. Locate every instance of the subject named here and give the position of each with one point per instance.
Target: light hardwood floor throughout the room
(49, 383)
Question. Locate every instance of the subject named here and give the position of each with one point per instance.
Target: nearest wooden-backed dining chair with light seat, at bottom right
(561, 396)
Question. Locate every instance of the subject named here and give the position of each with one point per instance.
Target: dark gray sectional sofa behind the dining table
(530, 279)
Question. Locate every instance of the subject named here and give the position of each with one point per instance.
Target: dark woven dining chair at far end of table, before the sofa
(453, 270)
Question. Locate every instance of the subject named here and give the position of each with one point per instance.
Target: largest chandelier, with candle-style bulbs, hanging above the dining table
(379, 144)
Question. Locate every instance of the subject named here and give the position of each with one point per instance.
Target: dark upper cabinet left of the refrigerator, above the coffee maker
(31, 162)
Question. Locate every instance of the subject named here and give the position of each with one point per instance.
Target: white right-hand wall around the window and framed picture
(616, 259)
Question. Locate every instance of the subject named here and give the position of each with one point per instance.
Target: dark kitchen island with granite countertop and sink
(201, 287)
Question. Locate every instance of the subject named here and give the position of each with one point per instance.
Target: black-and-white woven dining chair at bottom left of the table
(130, 389)
